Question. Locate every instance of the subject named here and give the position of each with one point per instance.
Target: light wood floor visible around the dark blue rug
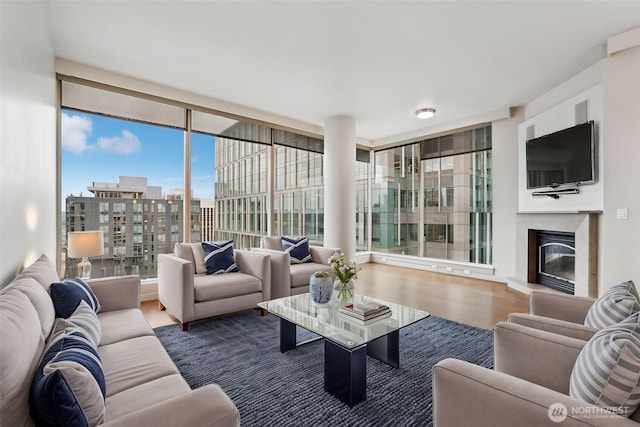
(476, 302)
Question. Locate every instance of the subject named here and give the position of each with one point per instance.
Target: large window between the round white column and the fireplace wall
(433, 198)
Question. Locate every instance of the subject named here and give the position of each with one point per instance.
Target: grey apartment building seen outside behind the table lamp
(138, 223)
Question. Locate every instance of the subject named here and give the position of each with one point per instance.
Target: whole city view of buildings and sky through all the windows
(429, 199)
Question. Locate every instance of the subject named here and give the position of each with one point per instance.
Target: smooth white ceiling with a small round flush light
(375, 61)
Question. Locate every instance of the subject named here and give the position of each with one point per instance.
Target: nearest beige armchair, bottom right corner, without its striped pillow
(531, 375)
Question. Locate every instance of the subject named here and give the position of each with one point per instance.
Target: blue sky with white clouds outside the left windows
(98, 148)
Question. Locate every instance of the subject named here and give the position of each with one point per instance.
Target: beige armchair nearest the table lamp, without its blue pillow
(191, 296)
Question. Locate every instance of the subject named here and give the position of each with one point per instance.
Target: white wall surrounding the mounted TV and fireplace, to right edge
(613, 88)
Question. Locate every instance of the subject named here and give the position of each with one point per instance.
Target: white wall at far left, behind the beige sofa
(28, 153)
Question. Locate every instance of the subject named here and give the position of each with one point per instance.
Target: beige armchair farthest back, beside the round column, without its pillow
(292, 279)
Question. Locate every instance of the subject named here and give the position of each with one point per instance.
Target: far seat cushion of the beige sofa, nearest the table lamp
(120, 325)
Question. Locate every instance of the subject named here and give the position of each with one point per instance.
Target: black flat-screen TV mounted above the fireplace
(563, 157)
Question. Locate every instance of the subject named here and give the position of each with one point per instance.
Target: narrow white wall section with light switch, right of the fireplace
(620, 239)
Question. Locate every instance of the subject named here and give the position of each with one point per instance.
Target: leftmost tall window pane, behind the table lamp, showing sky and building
(122, 178)
